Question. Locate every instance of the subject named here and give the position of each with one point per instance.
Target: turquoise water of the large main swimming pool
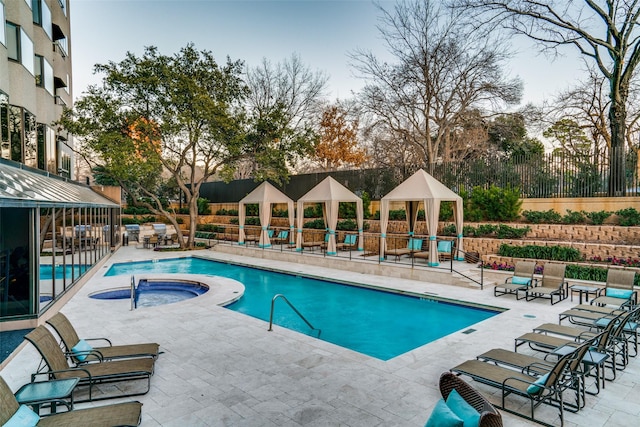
(379, 324)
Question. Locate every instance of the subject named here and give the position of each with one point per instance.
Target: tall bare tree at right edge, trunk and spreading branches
(555, 24)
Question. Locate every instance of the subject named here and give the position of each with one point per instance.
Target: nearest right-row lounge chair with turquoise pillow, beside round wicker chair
(546, 389)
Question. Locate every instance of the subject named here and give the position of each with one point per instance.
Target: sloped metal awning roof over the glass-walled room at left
(27, 188)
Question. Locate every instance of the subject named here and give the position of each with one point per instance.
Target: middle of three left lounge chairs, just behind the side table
(93, 373)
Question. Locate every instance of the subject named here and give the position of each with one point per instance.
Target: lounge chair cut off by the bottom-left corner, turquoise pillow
(119, 414)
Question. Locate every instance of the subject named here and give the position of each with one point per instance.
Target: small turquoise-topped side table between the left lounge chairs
(52, 392)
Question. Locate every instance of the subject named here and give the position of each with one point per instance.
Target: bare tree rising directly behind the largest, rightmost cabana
(440, 73)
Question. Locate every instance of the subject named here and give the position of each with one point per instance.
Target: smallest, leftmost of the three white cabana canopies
(265, 195)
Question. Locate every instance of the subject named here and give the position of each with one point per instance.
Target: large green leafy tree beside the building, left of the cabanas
(158, 121)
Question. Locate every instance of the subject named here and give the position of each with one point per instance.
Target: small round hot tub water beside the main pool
(154, 292)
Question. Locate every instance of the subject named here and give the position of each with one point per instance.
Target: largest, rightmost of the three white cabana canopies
(422, 187)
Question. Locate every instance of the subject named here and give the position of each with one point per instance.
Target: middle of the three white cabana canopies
(330, 193)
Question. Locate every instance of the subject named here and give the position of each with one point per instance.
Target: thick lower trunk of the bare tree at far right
(617, 123)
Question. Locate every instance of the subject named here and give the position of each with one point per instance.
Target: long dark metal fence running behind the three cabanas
(537, 176)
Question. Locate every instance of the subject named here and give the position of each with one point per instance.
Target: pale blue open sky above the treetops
(322, 32)
